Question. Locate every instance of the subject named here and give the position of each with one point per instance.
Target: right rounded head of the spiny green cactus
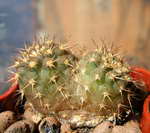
(104, 78)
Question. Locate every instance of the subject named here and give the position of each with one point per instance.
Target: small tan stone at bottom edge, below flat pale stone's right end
(104, 127)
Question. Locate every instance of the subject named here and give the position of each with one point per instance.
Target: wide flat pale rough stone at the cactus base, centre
(80, 118)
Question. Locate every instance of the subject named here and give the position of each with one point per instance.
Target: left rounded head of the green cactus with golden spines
(43, 70)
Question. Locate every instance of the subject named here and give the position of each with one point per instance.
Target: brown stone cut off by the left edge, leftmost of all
(6, 119)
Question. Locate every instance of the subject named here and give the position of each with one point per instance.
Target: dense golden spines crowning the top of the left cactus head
(29, 53)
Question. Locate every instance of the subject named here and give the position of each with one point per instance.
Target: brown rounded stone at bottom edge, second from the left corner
(23, 126)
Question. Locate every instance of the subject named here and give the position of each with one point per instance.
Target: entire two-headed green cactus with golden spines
(53, 80)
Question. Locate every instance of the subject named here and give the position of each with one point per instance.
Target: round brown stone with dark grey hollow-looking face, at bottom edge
(49, 125)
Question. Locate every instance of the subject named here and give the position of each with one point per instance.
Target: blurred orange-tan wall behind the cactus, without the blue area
(123, 22)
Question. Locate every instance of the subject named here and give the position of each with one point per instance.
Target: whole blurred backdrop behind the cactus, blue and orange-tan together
(126, 23)
